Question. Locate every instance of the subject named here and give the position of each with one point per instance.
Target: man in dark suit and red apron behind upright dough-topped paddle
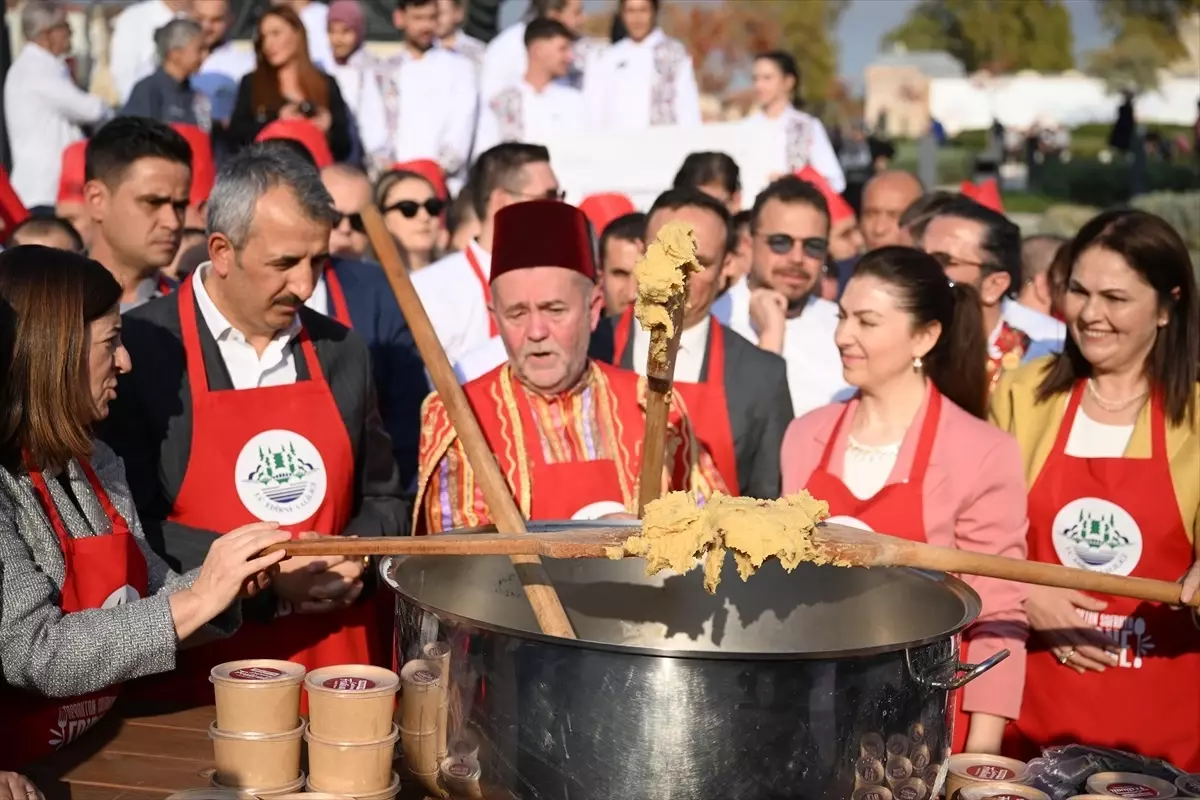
(736, 394)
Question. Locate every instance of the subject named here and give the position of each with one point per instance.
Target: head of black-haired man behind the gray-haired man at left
(140, 177)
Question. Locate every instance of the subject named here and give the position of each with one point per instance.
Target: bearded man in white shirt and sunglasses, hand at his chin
(777, 305)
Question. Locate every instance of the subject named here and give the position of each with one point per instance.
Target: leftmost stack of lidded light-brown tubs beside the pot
(257, 735)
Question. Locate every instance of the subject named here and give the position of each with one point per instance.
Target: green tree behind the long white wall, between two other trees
(994, 35)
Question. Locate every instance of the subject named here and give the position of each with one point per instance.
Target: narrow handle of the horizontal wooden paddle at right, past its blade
(947, 560)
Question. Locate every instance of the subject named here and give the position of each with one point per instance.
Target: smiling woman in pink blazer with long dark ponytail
(913, 456)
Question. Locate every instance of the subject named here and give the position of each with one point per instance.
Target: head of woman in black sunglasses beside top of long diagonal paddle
(412, 210)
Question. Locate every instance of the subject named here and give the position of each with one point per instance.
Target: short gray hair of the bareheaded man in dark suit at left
(251, 175)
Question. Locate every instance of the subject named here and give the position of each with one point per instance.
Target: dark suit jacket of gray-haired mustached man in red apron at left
(151, 425)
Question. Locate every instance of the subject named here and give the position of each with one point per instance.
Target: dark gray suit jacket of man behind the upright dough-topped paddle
(760, 407)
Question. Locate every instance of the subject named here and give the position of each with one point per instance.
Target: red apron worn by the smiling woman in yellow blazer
(1118, 516)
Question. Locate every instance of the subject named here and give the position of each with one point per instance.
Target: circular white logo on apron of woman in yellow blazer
(1095, 534)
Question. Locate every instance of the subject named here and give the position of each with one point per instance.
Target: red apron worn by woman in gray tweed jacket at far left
(100, 573)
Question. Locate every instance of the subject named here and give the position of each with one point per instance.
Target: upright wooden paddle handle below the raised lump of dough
(659, 381)
